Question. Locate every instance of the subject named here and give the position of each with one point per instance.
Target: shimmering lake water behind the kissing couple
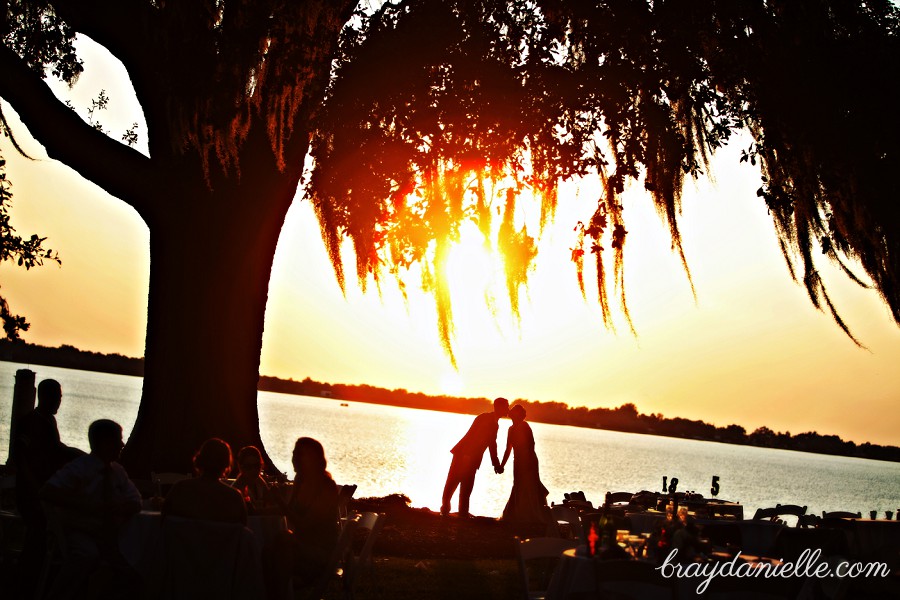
(385, 449)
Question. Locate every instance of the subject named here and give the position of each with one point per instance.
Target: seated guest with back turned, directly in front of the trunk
(206, 496)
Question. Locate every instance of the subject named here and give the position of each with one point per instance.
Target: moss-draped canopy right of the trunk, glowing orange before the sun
(442, 112)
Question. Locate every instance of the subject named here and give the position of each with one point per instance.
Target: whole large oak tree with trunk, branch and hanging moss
(421, 114)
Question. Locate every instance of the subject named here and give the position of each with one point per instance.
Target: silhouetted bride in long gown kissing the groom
(527, 503)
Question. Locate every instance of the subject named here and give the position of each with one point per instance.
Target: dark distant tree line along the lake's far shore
(625, 418)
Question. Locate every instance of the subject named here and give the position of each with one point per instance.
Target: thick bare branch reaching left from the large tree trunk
(122, 171)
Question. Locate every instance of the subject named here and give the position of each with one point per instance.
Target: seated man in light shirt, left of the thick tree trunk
(94, 495)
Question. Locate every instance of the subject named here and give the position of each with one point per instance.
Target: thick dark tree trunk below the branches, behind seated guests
(209, 277)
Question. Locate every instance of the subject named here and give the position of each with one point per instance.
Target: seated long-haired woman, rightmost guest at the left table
(312, 513)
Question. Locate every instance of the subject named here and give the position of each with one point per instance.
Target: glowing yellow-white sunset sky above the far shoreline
(750, 350)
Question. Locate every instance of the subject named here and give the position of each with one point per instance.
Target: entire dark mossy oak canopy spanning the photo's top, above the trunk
(436, 114)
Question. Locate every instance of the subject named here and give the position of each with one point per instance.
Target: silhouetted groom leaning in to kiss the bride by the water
(467, 456)
